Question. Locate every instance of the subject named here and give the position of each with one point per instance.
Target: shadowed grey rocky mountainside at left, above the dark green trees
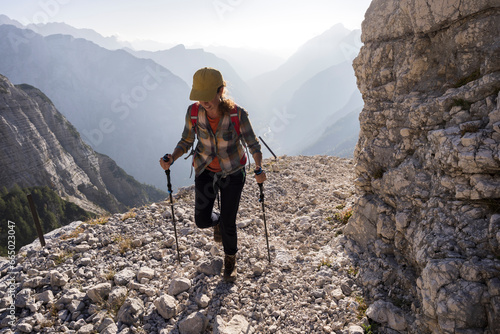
(40, 147)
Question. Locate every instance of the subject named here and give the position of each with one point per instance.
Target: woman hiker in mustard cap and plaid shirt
(219, 158)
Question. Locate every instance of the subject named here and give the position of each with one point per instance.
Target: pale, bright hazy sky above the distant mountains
(278, 26)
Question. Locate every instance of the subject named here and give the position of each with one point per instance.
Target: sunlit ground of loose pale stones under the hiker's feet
(121, 274)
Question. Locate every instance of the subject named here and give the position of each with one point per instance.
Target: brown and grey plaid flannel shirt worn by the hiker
(225, 144)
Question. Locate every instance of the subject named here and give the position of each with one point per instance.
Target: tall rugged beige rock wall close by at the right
(428, 165)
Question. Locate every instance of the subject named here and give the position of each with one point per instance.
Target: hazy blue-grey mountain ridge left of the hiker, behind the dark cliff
(127, 108)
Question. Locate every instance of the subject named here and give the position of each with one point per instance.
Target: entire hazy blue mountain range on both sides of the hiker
(130, 105)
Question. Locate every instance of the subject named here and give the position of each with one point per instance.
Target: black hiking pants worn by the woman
(206, 186)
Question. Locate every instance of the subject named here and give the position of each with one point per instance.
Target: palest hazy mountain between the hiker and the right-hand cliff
(311, 91)
